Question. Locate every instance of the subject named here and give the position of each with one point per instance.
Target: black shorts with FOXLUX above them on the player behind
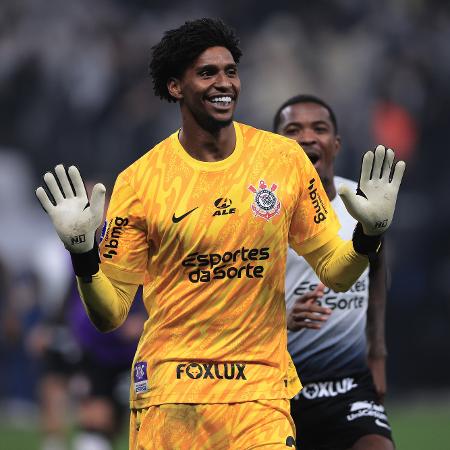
(334, 414)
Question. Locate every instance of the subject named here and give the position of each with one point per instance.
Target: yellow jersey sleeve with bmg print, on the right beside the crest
(314, 221)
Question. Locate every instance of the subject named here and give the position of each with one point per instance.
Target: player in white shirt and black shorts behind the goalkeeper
(340, 406)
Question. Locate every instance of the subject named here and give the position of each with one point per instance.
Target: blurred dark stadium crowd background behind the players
(74, 89)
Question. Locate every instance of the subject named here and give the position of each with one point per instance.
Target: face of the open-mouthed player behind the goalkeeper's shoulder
(310, 125)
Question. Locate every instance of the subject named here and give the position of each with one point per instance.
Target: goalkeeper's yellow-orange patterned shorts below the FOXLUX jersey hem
(221, 426)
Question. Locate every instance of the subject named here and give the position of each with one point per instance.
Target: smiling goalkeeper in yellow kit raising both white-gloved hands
(203, 221)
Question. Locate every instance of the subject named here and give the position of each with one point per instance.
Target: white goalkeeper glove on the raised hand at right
(373, 207)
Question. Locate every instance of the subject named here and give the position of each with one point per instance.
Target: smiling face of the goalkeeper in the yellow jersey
(209, 88)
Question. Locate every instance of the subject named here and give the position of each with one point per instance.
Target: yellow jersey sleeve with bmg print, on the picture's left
(124, 245)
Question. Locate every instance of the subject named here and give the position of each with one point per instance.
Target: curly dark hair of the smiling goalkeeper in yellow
(180, 47)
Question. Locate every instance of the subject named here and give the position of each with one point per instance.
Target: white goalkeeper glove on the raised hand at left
(75, 218)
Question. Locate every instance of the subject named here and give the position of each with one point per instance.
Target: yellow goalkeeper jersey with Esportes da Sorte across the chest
(208, 241)
